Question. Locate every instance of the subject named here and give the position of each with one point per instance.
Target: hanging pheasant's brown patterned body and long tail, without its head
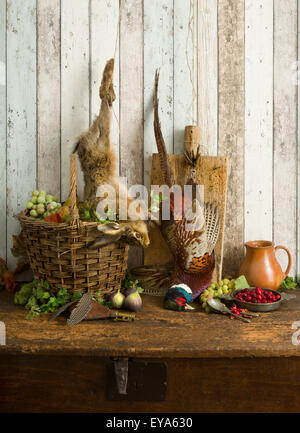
(193, 246)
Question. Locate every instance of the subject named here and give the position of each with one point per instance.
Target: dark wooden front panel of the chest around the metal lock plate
(78, 384)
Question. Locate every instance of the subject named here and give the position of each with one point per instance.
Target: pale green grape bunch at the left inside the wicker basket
(42, 204)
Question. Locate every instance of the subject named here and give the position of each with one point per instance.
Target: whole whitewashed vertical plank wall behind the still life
(242, 57)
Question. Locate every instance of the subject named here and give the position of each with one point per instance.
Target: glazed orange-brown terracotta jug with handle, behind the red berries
(260, 266)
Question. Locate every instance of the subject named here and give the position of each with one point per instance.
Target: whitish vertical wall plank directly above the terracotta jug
(258, 119)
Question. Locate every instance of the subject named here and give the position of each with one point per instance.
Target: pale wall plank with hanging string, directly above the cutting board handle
(184, 105)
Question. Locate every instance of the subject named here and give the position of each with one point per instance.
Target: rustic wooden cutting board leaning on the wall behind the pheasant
(211, 171)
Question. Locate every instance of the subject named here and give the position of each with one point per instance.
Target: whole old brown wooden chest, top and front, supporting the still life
(177, 362)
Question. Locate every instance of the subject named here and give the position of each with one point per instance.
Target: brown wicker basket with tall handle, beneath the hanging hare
(58, 252)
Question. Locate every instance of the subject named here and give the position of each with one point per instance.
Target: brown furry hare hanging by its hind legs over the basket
(98, 161)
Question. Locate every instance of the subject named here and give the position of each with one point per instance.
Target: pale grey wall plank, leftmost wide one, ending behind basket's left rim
(21, 110)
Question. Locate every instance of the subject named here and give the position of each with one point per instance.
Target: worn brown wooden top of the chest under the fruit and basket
(156, 333)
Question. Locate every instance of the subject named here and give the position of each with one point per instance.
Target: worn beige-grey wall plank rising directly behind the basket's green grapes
(48, 95)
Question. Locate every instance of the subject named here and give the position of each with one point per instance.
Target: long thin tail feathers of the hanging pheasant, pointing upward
(161, 147)
